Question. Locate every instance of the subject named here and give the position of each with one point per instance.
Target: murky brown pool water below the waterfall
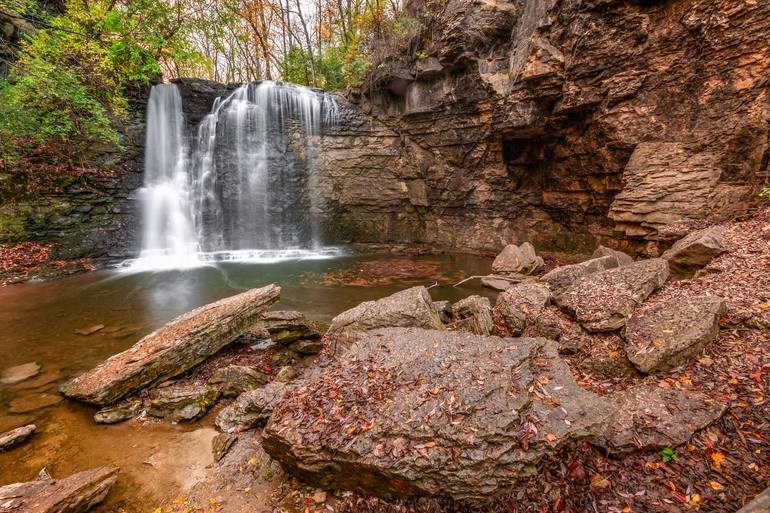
(38, 323)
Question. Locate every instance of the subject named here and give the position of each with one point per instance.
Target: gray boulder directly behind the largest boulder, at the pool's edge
(408, 308)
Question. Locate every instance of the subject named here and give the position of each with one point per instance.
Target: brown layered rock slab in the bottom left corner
(75, 494)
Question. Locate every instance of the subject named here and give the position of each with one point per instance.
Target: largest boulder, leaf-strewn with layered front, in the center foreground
(411, 411)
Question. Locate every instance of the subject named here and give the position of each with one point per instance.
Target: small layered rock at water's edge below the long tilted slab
(179, 403)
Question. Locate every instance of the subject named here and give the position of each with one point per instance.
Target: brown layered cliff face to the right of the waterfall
(565, 122)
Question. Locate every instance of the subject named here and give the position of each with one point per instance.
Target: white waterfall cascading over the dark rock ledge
(244, 188)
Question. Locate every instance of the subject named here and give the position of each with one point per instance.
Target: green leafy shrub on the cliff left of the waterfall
(66, 91)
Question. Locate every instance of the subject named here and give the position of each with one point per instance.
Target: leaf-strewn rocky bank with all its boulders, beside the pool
(611, 383)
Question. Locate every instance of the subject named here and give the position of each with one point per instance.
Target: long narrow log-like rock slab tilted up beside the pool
(174, 348)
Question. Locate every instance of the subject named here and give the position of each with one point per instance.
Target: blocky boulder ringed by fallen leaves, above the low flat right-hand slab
(671, 332)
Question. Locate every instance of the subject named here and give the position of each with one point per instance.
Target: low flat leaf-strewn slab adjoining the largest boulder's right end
(652, 417)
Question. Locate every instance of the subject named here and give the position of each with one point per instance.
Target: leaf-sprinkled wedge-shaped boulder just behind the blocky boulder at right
(603, 301)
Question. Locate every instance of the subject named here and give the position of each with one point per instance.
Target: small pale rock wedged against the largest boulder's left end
(252, 408)
